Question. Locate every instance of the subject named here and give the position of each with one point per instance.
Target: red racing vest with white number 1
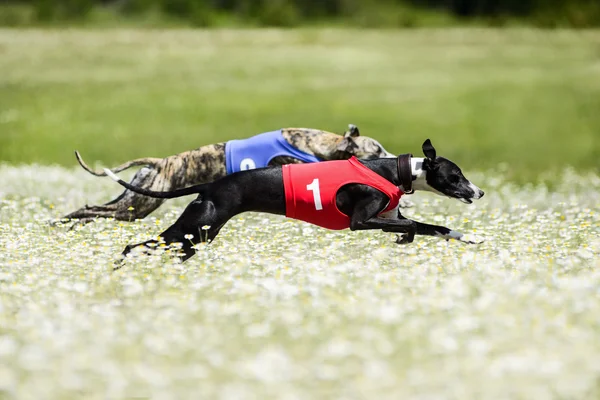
(311, 189)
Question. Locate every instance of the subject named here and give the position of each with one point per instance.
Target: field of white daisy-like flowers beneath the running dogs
(281, 309)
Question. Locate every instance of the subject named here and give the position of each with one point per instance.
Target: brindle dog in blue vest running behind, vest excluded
(208, 163)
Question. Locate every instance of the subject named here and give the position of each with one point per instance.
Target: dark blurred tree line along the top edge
(372, 13)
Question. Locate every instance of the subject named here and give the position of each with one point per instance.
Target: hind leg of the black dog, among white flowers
(199, 222)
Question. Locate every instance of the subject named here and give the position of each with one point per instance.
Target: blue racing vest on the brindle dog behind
(257, 151)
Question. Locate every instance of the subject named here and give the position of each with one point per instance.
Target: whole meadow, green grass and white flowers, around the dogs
(277, 308)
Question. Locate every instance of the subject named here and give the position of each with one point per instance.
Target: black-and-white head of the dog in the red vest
(444, 177)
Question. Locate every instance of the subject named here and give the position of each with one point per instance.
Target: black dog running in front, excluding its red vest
(264, 190)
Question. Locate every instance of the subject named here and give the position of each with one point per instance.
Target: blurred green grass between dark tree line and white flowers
(524, 98)
